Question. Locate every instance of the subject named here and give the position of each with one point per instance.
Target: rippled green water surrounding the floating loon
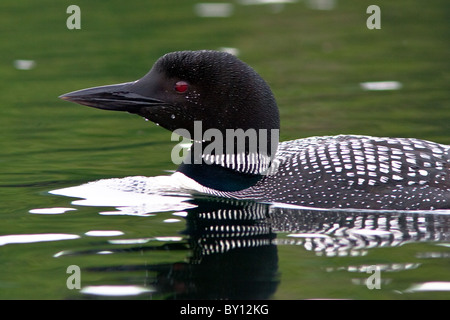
(314, 61)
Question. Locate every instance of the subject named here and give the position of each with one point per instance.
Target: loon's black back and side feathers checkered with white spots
(349, 171)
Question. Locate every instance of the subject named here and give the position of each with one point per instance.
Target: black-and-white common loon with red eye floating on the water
(204, 90)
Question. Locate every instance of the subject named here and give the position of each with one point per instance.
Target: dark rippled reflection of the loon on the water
(232, 247)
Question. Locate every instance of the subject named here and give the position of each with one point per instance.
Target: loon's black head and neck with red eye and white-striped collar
(216, 90)
